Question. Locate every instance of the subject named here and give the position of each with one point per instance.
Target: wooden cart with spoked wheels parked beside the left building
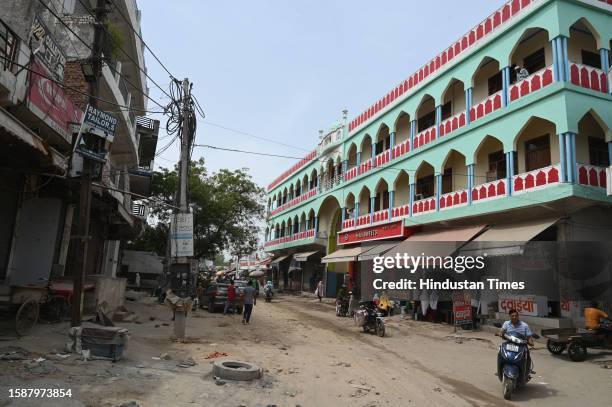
(31, 303)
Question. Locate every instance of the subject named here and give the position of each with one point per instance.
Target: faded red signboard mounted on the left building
(49, 102)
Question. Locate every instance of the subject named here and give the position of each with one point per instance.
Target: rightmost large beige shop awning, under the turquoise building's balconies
(508, 239)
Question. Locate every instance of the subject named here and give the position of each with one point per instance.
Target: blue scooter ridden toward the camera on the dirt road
(513, 362)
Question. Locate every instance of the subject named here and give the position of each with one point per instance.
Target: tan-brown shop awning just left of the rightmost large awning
(436, 243)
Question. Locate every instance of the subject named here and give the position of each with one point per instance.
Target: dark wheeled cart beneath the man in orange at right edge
(575, 340)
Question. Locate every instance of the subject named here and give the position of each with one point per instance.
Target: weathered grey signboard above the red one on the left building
(46, 50)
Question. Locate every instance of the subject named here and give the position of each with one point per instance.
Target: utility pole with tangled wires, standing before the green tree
(183, 261)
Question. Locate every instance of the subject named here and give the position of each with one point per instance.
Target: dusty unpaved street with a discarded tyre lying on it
(310, 357)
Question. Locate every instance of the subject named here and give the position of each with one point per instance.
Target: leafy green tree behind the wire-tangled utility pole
(227, 206)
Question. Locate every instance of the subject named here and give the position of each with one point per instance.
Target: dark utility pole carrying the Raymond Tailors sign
(86, 173)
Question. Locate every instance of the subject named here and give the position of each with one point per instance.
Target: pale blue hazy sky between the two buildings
(282, 70)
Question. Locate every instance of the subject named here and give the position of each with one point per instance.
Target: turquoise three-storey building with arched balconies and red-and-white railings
(509, 124)
